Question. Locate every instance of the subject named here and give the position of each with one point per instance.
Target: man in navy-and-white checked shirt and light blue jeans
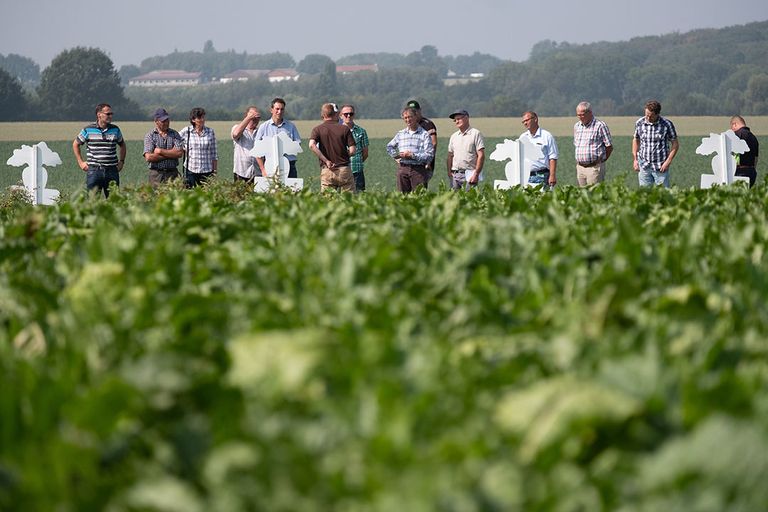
(654, 146)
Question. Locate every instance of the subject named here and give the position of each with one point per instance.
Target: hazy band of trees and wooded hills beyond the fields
(701, 72)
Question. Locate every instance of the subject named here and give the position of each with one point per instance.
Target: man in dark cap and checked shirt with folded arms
(162, 150)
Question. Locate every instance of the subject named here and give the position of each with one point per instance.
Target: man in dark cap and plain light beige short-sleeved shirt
(466, 153)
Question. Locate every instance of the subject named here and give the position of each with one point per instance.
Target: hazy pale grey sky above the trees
(135, 29)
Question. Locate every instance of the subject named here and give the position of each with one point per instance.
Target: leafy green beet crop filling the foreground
(214, 350)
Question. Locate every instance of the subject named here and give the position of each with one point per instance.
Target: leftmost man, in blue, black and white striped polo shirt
(102, 138)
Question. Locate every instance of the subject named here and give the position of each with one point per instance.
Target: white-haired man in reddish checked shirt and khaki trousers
(592, 140)
